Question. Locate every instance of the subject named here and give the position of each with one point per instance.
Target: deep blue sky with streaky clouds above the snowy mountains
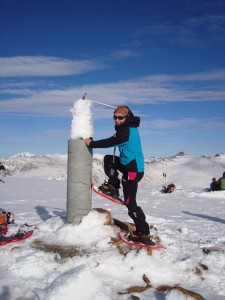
(164, 59)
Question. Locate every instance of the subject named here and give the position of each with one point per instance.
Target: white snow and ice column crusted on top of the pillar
(81, 126)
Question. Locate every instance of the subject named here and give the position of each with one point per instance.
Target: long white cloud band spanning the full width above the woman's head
(196, 87)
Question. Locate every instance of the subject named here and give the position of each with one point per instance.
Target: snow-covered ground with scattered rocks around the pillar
(186, 221)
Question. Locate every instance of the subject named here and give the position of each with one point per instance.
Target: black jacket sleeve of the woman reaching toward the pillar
(119, 137)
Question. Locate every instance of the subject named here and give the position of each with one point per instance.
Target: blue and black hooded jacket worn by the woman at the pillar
(127, 139)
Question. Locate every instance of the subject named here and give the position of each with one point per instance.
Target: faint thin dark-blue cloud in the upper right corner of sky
(206, 29)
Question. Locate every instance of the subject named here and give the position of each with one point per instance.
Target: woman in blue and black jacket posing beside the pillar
(130, 163)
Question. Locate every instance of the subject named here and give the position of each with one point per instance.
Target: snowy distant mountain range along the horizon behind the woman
(180, 169)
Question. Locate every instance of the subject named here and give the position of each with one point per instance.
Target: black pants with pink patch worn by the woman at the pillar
(130, 181)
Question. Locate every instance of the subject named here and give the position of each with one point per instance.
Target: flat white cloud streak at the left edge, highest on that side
(44, 66)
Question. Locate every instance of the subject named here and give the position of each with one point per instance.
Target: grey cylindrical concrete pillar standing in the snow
(79, 176)
